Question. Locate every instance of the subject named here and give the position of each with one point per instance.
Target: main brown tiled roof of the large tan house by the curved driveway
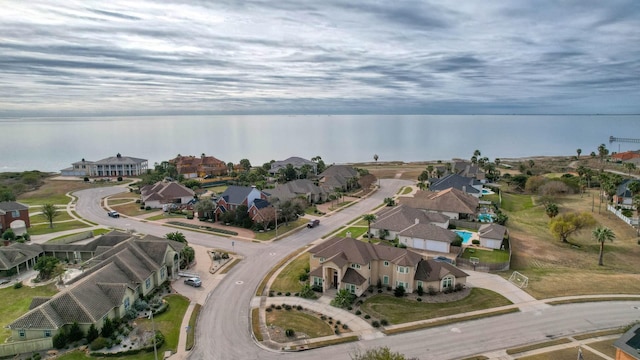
(347, 250)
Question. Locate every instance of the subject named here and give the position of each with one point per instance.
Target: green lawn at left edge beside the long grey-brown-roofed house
(19, 304)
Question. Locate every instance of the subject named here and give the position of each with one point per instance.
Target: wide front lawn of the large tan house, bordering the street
(400, 310)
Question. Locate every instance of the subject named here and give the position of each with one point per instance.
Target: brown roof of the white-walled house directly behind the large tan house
(400, 217)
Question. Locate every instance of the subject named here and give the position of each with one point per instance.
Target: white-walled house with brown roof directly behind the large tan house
(399, 218)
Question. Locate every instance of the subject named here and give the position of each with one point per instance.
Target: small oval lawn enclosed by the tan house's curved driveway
(300, 322)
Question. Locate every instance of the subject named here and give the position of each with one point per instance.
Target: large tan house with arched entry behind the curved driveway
(346, 263)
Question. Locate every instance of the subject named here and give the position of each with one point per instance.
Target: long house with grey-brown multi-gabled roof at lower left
(119, 275)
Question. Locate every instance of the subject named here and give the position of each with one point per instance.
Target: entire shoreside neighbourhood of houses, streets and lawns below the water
(195, 257)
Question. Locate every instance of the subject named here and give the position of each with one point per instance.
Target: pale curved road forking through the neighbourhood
(223, 330)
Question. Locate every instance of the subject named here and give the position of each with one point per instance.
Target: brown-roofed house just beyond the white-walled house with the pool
(452, 202)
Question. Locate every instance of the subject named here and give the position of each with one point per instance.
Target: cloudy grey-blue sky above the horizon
(79, 57)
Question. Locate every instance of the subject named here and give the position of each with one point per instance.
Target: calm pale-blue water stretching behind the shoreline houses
(51, 144)
